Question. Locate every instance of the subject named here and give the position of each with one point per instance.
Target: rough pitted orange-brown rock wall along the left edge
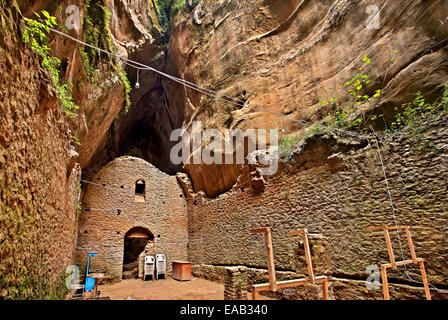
(38, 177)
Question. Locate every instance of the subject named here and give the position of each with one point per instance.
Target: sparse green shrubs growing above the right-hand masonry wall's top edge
(357, 109)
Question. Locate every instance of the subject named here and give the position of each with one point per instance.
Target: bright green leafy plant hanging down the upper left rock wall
(36, 35)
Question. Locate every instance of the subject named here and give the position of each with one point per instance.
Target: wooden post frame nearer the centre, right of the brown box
(273, 284)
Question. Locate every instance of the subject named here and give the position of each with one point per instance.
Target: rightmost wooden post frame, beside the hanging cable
(394, 264)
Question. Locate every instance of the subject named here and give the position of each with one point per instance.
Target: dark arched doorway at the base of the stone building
(135, 241)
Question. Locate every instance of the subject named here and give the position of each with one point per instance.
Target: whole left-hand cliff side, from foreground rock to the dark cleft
(40, 158)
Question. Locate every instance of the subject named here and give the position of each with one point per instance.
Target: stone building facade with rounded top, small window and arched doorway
(128, 204)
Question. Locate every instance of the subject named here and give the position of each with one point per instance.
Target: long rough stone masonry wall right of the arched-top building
(339, 201)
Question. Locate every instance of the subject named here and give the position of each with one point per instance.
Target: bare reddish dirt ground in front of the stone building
(169, 289)
